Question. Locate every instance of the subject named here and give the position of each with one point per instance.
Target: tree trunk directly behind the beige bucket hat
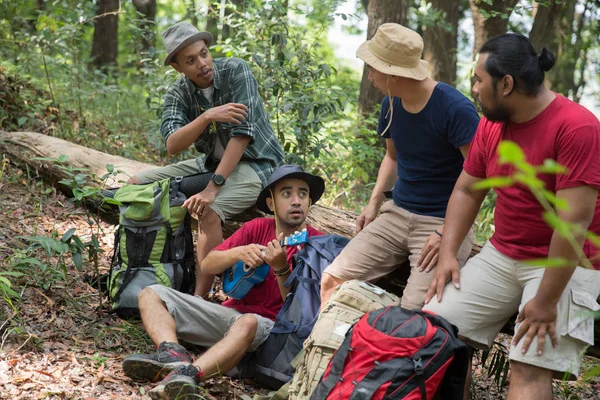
(379, 12)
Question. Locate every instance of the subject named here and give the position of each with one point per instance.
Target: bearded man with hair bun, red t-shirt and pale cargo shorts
(556, 305)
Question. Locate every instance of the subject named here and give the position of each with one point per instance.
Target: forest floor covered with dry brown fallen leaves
(58, 342)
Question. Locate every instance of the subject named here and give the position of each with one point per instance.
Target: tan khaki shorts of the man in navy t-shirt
(395, 236)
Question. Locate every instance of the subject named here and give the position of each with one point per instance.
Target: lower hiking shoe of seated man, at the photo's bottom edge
(181, 383)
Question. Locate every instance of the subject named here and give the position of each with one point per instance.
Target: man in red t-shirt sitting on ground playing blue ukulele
(236, 326)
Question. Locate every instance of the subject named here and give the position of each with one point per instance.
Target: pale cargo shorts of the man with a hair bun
(494, 287)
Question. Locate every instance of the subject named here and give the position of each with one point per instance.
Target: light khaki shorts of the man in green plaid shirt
(239, 192)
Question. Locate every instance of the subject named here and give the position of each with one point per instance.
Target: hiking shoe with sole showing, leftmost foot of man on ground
(155, 366)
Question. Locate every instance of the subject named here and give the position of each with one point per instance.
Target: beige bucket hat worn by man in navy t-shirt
(395, 50)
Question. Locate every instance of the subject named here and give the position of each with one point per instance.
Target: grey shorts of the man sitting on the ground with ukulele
(204, 323)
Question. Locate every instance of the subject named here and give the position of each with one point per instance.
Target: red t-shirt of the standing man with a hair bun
(565, 132)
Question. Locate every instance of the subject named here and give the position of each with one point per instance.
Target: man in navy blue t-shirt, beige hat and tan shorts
(428, 127)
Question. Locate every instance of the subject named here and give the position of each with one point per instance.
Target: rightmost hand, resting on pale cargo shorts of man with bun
(536, 318)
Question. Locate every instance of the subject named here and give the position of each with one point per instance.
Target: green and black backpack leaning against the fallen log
(153, 244)
